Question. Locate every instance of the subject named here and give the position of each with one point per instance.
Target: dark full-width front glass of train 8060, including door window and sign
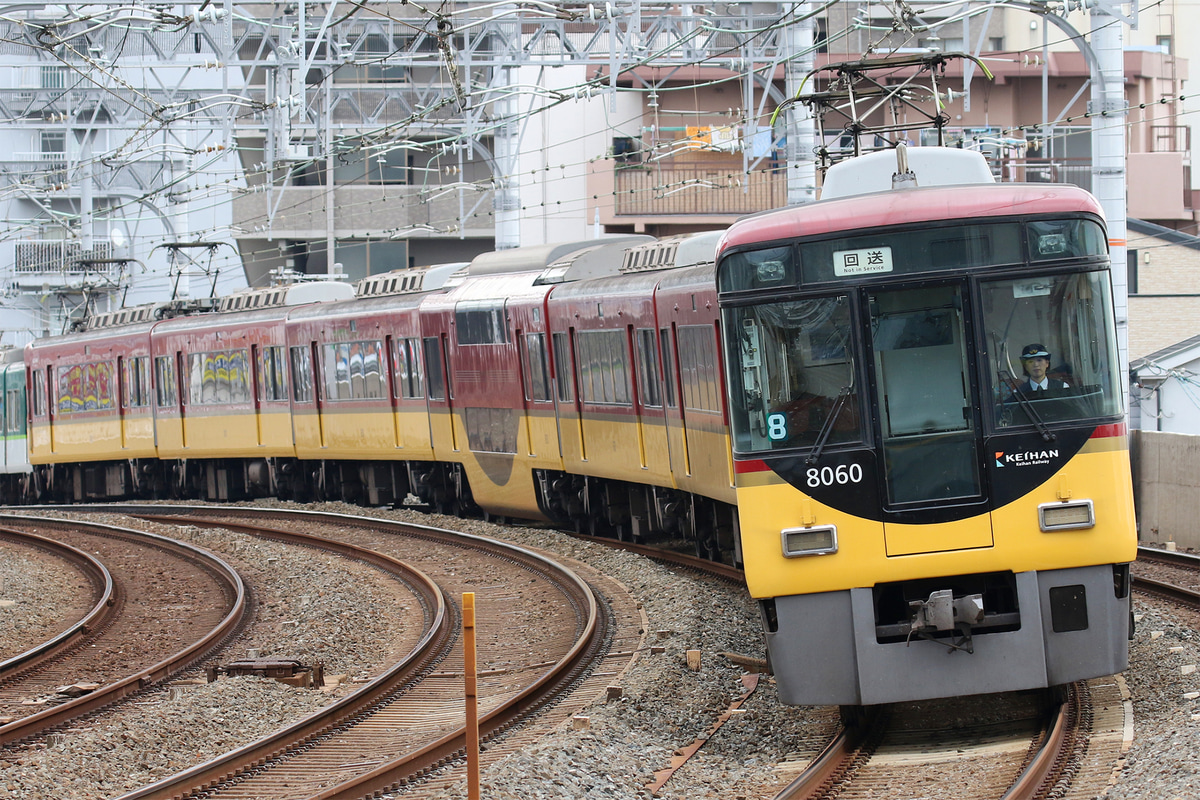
(931, 366)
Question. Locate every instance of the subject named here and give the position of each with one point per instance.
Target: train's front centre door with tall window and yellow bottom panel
(927, 417)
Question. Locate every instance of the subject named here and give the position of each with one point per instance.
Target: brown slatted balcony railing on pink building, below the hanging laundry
(657, 190)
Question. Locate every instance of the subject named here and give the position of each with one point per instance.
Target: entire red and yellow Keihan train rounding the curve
(831, 395)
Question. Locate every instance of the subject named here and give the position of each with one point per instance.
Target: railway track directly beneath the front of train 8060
(1024, 747)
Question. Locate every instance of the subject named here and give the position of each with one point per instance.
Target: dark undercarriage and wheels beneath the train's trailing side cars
(584, 504)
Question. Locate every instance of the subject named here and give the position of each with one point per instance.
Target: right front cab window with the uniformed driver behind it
(1063, 327)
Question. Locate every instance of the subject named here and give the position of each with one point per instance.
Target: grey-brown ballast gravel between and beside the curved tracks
(664, 705)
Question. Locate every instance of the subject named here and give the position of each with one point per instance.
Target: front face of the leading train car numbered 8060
(916, 520)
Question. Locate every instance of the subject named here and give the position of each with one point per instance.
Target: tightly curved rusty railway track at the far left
(127, 643)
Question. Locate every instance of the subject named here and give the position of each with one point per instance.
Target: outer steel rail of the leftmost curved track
(44, 721)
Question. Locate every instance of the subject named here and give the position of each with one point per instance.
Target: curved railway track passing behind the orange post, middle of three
(409, 723)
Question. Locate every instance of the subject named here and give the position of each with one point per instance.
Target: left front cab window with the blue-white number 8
(791, 375)
